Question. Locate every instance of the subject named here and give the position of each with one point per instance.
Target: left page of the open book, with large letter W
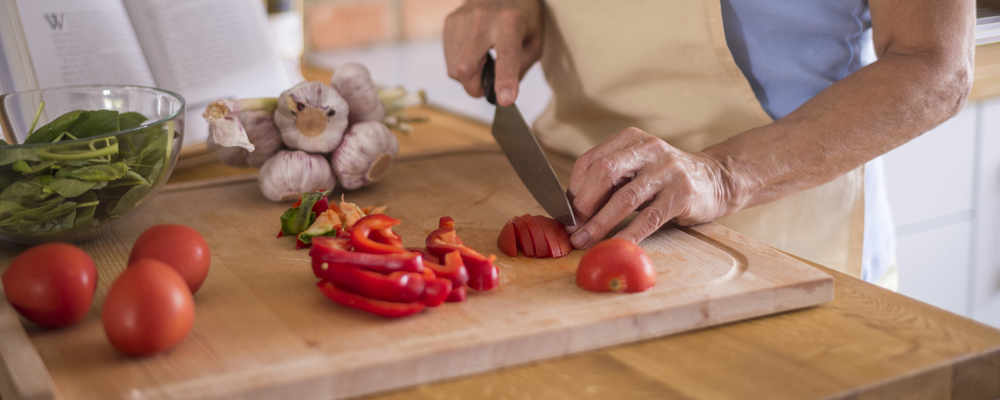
(80, 42)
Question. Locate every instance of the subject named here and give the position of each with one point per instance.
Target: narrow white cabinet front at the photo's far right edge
(985, 280)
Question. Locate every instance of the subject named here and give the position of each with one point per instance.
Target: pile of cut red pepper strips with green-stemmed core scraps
(362, 263)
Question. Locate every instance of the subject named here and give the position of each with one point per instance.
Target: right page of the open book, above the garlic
(209, 49)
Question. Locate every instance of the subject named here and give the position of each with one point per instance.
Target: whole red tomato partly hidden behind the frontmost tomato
(180, 247)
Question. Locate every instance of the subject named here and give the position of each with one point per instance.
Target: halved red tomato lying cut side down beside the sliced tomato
(616, 265)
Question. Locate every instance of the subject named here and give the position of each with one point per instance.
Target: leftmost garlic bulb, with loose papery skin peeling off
(260, 131)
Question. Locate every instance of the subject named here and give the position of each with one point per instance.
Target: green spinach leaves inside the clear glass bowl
(62, 188)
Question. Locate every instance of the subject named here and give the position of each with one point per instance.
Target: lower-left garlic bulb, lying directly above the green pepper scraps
(290, 173)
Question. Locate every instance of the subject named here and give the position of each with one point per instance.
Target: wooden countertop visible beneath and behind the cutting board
(867, 343)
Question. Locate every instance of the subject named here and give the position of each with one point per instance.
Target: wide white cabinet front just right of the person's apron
(930, 185)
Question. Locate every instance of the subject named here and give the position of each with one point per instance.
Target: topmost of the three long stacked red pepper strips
(336, 251)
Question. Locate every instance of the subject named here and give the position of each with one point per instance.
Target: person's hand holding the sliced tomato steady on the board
(634, 170)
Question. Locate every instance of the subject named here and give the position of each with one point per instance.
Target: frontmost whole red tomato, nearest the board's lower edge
(148, 309)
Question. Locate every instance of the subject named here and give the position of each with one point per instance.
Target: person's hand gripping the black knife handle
(512, 27)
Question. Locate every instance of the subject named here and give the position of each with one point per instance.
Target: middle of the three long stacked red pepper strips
(398, 287)
